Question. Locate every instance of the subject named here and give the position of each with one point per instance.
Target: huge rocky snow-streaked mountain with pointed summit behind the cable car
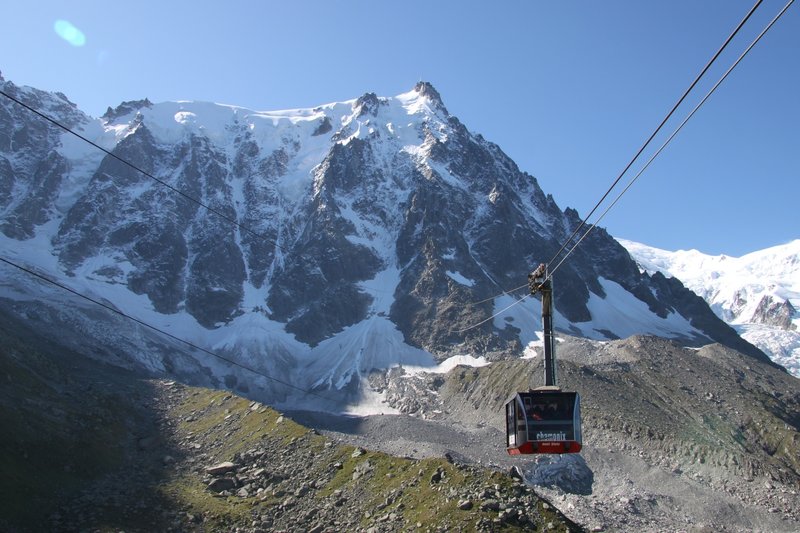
(351, 236)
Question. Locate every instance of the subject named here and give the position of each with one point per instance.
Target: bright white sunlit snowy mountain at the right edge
(758, 293)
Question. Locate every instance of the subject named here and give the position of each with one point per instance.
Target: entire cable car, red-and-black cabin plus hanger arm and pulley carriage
(545, 419)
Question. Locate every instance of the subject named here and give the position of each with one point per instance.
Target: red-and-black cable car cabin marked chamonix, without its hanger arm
(544, 420)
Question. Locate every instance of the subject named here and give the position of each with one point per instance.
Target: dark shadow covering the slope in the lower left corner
(82, 442)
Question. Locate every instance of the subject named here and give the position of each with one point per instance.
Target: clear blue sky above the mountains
(570, 90)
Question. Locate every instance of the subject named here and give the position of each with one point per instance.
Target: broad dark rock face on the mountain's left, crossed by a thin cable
(175, 257)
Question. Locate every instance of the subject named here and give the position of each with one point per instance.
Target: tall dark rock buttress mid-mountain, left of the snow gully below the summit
(315, 291)
